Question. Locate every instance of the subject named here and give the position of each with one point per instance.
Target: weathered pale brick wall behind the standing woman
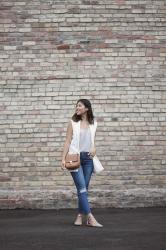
(51, 54)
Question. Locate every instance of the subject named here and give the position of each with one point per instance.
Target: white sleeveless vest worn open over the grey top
(74, 145)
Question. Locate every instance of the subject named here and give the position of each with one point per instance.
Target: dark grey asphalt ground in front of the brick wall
(124, 229)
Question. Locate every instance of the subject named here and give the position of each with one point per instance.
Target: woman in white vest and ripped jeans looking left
(83, 119)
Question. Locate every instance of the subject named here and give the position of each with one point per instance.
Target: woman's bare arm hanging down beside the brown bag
(69, 134)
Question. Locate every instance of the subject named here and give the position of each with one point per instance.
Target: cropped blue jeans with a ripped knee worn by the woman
(81, 180)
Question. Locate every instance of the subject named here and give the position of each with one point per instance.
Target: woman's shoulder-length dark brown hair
(90, 115)
